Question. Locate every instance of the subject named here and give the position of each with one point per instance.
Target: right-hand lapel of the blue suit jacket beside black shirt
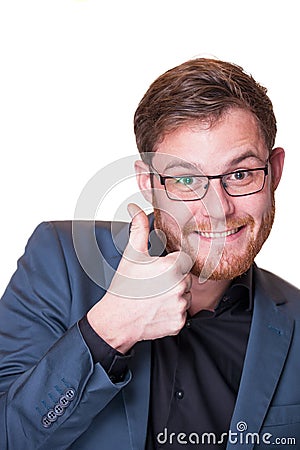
(268, 346)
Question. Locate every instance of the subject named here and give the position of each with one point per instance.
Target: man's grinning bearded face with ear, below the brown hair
(221, 233)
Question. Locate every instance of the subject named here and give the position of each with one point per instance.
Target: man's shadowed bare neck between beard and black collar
(206, 295)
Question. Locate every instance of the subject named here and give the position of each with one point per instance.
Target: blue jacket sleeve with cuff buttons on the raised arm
(50, 388)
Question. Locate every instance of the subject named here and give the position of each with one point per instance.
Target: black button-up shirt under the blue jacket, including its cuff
(195, 375)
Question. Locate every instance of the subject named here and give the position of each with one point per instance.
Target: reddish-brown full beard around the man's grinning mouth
(220, 263)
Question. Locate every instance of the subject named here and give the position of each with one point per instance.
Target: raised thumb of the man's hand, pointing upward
(139, 232)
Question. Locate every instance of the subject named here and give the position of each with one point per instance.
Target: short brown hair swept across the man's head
(200, 90)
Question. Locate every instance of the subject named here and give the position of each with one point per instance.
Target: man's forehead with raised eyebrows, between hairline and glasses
(234, 138)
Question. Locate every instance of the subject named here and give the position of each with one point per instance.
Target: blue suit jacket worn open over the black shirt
(44, 361)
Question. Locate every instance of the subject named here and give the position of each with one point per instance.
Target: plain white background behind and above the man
(72, 73)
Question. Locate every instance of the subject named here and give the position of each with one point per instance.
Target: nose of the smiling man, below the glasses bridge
(217, 204)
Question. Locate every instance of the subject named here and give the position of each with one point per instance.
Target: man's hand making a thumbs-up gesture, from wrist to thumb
(148, 297)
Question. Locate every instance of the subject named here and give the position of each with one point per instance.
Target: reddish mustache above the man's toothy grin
(209, 226)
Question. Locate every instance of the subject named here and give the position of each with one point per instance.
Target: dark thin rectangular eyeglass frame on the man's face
(163, 179)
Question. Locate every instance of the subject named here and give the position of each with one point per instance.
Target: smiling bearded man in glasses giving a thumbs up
(188, 345)
